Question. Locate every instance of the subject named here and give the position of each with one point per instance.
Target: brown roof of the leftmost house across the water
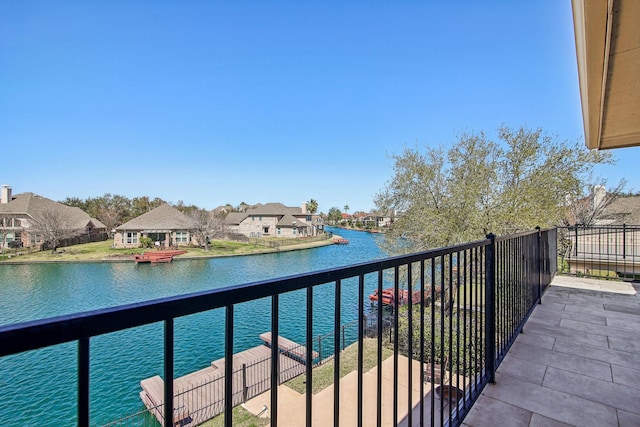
(33, 205)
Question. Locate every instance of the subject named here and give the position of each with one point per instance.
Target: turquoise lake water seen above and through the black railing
(39, 387)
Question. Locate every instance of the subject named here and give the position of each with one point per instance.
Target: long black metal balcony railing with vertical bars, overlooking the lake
(452, 312)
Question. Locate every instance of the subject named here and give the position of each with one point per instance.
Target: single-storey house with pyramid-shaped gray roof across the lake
(165, 225)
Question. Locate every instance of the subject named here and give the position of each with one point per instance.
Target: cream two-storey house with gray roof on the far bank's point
(275, 220)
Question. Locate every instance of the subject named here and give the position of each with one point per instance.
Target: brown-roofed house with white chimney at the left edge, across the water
(22, 217)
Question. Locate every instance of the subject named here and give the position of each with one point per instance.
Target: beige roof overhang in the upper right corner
(607, 36)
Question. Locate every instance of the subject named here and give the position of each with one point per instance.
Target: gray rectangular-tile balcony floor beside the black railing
(577, 361)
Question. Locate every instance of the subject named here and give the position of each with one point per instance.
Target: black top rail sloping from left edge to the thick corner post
(20, 337)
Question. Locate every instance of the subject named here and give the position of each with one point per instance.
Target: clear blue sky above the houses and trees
(227, 102)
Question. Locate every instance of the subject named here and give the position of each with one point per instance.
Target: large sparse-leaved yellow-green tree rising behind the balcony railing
(480, 186)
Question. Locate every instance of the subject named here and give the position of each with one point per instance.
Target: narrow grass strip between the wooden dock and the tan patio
(323, 375)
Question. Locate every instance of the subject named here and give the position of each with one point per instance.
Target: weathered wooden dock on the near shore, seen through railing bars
(199, 396)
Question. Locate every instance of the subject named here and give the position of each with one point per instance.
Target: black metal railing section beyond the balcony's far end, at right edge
(604, 251)
